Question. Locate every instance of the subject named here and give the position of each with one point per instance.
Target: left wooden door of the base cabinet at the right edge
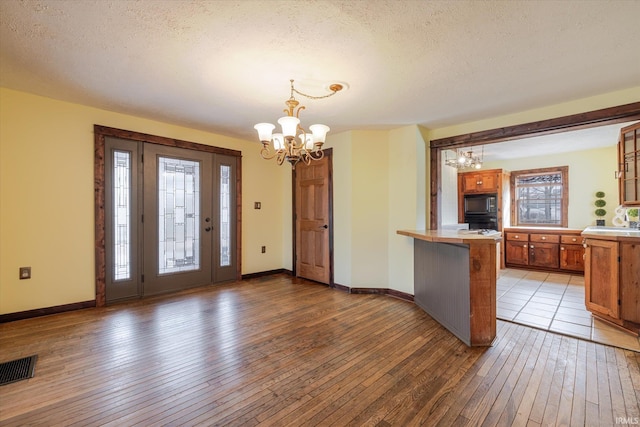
(601, 276)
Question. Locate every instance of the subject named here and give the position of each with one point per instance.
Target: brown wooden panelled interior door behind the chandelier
(313, 224)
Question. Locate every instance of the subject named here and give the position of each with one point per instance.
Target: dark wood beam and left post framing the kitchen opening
(606, 116)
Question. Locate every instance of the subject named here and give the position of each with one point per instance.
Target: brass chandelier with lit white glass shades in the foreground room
(284, 146)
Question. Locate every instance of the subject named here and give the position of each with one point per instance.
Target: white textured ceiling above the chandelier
(223, 66)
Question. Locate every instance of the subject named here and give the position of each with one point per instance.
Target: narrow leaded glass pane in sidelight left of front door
(122, 215)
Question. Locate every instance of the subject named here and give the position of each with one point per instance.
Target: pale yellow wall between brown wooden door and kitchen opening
(379, 187)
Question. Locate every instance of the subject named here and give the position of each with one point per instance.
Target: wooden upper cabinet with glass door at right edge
(629, 160)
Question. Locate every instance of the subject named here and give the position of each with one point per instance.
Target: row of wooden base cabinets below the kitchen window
(550, 249)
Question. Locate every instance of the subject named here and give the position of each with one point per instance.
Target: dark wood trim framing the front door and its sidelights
(100, 132)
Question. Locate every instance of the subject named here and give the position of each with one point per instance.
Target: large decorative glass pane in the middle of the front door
(178, 215)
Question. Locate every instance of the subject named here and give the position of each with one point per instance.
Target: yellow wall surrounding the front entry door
(46, 198)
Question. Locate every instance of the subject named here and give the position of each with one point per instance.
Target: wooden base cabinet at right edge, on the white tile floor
(612, 278)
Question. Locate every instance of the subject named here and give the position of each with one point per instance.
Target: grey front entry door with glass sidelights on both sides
(170, 218)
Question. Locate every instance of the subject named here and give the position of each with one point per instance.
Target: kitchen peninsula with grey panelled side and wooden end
(455, 275)
